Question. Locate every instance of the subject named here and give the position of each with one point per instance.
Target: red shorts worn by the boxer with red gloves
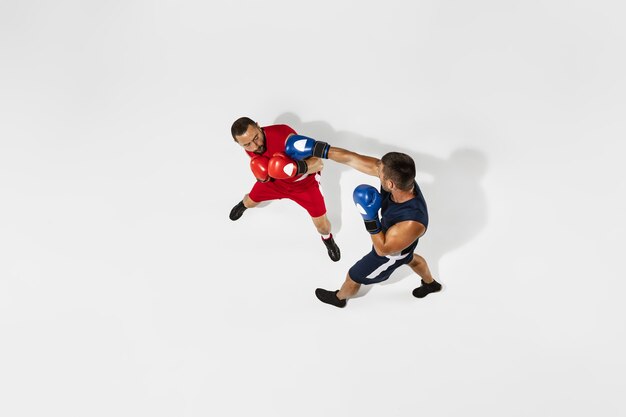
(308, 194)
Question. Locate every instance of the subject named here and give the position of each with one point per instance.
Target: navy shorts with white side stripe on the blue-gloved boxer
(373, 268)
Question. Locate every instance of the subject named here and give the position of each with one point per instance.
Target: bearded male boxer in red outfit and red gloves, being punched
(278, 176)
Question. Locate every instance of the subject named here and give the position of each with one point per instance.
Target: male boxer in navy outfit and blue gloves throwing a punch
(395, 234)
